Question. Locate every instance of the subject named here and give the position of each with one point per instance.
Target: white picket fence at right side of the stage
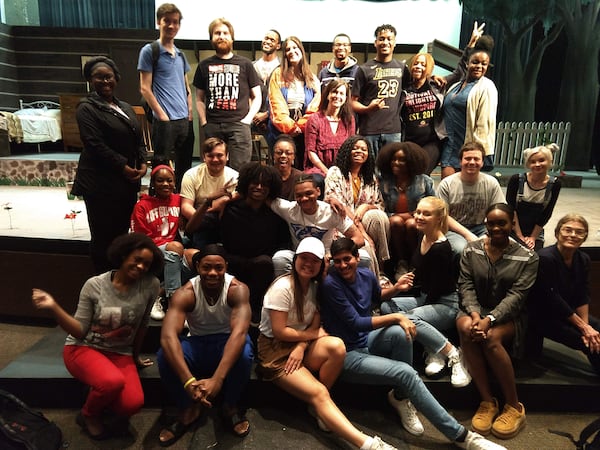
(512, 138)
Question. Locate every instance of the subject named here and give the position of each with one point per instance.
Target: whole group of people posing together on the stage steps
(336, 258)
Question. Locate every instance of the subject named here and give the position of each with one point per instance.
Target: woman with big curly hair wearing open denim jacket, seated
(403, 182)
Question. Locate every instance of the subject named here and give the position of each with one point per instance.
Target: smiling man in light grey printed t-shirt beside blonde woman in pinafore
(469, 193)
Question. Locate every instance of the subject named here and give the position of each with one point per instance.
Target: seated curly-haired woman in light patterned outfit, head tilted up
(353, 183)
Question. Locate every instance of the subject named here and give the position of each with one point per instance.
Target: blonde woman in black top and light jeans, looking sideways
(435, 309)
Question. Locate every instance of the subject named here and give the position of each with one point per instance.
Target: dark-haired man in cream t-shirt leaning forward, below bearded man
(210, 184)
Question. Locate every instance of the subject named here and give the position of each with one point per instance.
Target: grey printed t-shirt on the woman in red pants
(111, 319)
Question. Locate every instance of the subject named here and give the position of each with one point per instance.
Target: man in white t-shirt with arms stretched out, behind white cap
(308, 216)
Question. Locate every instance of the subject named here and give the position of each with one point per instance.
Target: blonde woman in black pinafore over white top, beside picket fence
(533, 195)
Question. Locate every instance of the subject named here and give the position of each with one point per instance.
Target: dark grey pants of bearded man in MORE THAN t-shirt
(237, 136)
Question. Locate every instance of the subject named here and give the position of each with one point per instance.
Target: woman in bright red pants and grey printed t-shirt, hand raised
(107, 330)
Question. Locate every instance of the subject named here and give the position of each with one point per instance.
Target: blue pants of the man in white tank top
(202, 355)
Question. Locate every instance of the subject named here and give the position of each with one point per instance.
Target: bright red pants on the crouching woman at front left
(113, 380)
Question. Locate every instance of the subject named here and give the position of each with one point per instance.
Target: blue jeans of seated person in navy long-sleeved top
(377, 365)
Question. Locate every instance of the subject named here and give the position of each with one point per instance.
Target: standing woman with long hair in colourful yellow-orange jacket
(294, 94)
